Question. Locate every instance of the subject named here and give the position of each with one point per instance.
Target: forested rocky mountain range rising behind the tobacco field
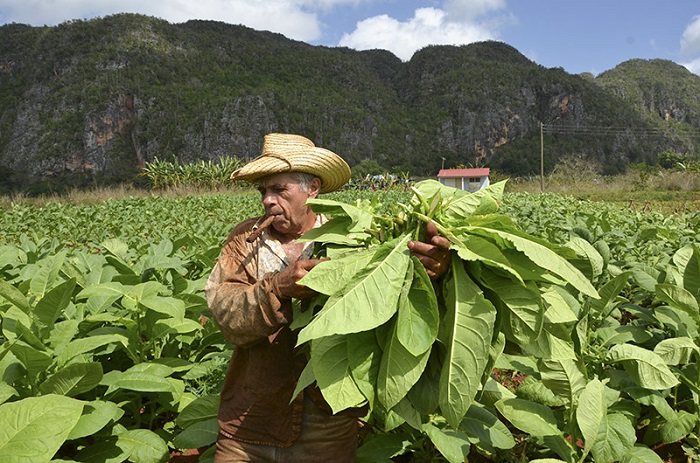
(89, 102)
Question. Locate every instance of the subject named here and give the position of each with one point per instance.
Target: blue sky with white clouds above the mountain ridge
(577, 35)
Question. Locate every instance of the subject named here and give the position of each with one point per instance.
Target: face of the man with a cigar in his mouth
(284, 198)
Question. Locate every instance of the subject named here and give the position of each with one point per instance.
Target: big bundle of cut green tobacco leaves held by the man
(387, 337)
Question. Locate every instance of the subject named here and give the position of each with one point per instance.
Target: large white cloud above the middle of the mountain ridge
(456, 24)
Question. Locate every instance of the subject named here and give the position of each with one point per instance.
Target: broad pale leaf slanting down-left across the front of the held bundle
(367, 300)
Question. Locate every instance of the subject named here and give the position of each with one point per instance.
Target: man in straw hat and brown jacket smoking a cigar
(249, 293)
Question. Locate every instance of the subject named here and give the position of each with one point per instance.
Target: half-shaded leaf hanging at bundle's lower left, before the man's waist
(329, 357)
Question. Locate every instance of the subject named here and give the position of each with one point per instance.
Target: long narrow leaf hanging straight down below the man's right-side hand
(466, 333)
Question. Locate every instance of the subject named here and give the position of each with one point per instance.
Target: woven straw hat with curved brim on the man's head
(293, 153)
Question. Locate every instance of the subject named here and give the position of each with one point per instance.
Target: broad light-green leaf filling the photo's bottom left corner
(33, 429)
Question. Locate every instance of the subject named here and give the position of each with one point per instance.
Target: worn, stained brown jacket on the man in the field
(265, 366)
